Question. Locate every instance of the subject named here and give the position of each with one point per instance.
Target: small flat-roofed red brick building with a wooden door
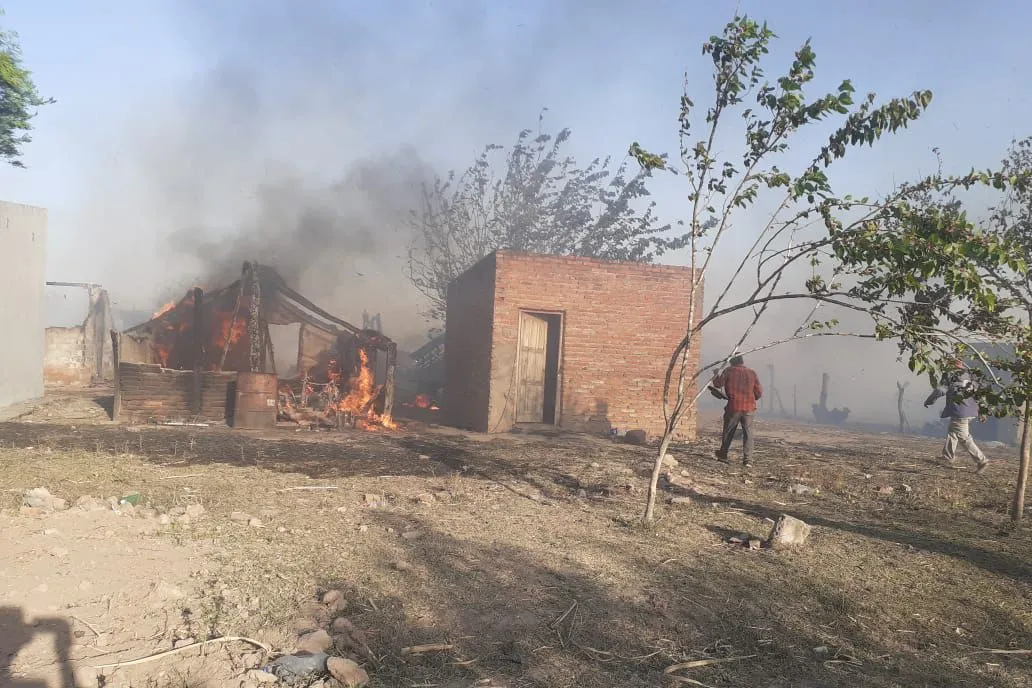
(576, 343)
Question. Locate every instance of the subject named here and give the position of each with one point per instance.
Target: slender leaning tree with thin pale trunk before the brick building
(863, 255)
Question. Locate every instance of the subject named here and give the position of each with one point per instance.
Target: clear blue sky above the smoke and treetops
(449, 77)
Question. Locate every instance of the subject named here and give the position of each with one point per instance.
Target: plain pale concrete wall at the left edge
(23, 257)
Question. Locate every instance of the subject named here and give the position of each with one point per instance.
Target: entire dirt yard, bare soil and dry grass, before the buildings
(522, 554)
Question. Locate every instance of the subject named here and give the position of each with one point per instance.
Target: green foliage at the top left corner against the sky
(19, 100)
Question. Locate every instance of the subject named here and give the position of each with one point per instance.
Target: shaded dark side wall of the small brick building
(468, 347)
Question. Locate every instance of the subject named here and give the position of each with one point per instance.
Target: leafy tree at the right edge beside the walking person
(989, 305)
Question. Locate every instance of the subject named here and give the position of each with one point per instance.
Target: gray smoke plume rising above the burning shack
(276, 153)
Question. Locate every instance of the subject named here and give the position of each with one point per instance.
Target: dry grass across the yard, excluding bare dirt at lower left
(537, 586)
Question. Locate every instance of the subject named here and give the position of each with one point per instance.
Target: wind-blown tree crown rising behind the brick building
(534, 199)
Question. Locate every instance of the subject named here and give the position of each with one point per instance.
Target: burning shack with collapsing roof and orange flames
(211, 356)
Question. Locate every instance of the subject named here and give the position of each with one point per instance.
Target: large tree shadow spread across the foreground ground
(513, 617)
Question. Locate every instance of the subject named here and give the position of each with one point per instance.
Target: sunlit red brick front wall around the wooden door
(622, 323)
